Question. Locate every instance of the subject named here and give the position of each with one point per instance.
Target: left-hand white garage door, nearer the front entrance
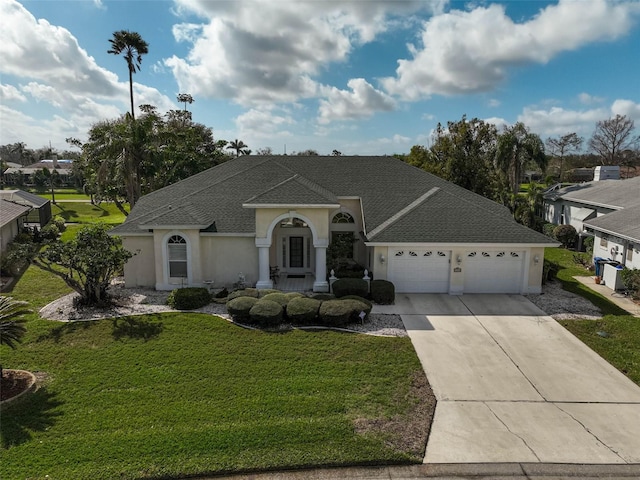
(419, 270)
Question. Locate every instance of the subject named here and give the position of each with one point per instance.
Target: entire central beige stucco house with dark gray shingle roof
(252, 213)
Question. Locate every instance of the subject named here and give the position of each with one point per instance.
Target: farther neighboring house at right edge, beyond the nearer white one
(582, 202)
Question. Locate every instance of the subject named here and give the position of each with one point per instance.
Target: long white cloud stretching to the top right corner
(471, 51)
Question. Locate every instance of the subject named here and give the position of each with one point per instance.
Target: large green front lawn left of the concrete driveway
(189, 394)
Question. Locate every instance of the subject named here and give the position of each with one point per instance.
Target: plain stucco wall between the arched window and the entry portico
(224, 258)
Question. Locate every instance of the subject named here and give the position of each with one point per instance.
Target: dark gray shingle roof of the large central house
(400, 203)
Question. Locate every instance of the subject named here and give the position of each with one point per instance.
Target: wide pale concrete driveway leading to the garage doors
(514, 386)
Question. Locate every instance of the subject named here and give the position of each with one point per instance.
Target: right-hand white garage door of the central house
(493, 271)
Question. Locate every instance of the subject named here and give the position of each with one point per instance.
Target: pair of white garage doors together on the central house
(421, 270)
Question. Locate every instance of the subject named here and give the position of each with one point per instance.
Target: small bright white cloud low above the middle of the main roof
(361, 101)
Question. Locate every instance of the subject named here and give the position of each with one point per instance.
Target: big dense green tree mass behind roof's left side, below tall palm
(165, 149)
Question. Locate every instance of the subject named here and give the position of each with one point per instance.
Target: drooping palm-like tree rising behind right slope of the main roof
(517, 147)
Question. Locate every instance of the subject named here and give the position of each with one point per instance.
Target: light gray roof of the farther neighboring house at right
(615, 194)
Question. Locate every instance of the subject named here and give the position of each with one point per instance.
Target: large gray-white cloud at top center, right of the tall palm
(271, 51)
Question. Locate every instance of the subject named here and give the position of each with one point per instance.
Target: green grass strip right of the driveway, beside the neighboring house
(621, 344)
